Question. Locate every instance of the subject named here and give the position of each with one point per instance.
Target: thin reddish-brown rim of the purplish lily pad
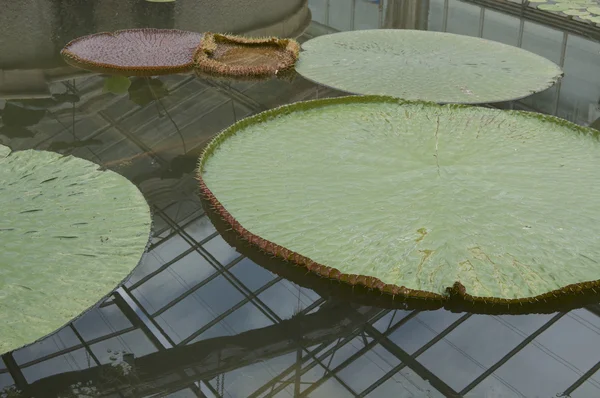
(145, 71)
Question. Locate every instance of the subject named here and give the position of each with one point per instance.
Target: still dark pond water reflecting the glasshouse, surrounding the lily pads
(197, 319)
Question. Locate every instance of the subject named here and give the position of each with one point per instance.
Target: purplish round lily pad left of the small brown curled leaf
(135, 52)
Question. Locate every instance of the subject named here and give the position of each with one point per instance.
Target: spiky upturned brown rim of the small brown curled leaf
(204, 63)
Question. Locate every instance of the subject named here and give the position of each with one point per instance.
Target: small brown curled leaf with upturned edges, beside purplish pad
(237, 56)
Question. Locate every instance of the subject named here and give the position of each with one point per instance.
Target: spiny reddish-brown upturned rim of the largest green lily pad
(456, 296)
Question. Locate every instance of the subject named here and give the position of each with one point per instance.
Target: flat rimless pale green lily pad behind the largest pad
(425, 65)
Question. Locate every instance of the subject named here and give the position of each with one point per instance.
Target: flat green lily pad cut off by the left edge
(69, 234)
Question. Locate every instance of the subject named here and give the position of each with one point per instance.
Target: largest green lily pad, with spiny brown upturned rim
(450, 203)
